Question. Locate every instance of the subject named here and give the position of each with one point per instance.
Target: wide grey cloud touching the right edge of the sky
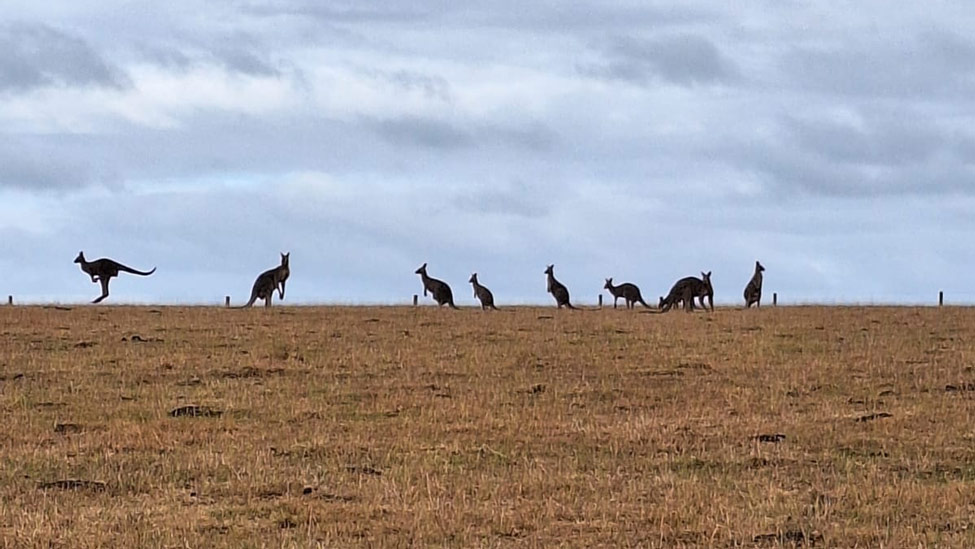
(894, 154)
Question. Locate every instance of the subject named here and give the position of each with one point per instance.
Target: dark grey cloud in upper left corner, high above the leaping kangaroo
(36, 55)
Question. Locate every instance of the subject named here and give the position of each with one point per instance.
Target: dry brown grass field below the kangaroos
(396, 427)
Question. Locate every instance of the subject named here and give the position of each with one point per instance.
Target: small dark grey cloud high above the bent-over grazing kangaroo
(681, 59)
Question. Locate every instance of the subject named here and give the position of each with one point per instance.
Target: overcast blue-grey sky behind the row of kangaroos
(833, 141)
